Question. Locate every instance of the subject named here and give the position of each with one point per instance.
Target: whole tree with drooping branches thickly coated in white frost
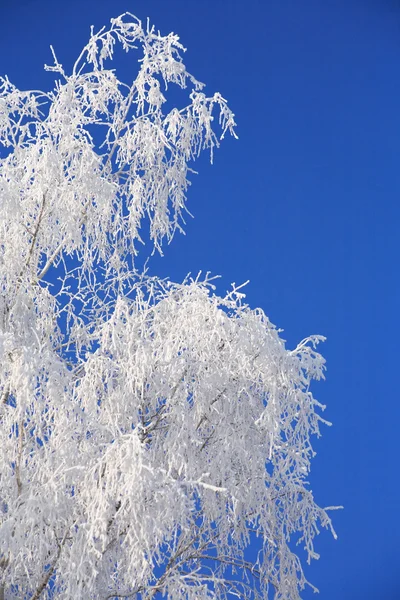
(149, 431)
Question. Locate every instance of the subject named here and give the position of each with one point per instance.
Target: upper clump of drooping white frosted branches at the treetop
(87, 162)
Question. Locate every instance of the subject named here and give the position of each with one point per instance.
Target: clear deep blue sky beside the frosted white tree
(305, 205)
